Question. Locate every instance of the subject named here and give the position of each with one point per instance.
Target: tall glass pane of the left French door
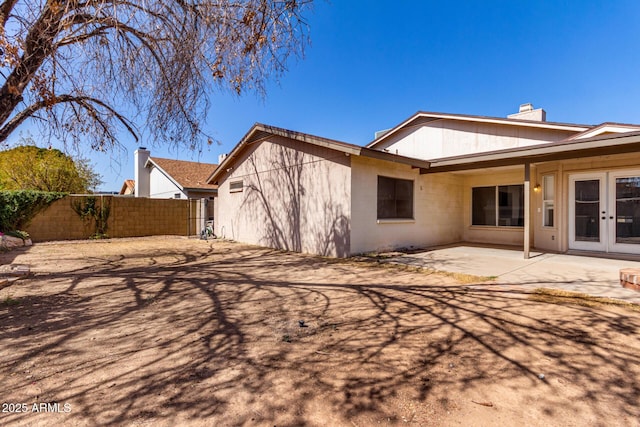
(587, 204)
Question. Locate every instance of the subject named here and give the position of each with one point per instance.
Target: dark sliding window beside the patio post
(501, 205)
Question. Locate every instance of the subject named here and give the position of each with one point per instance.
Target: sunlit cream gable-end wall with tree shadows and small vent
(293, 196)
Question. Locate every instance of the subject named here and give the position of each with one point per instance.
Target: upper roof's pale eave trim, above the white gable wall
(422, 117)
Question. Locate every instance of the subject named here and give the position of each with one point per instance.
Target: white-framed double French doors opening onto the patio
(604, 211)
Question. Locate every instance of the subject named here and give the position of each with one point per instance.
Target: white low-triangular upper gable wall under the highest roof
(448, 138)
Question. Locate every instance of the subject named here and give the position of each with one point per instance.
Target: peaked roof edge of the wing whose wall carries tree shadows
(260, 132)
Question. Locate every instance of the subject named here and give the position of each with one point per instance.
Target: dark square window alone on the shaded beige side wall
(395, 198)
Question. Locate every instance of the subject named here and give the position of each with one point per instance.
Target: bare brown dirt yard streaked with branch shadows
(172, 331)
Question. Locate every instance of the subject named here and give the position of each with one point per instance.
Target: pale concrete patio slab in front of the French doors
(589, 275)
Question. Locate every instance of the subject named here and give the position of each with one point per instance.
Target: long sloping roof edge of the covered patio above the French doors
(568, 149)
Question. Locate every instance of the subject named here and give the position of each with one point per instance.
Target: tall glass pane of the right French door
(628, 210)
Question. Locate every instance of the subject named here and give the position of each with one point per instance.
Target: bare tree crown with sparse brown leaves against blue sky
(159, 63)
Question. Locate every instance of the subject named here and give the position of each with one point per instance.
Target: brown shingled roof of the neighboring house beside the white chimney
(187, 175)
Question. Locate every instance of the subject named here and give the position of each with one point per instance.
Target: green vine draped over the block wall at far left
(18, 208)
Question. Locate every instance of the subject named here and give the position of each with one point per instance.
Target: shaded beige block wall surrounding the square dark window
(437, 208)
